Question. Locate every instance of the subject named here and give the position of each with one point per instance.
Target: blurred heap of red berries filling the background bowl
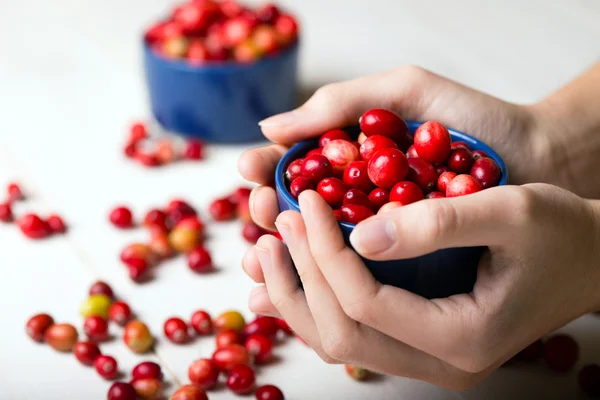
(207, 31)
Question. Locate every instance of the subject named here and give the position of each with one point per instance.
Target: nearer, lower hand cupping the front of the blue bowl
(541, 271)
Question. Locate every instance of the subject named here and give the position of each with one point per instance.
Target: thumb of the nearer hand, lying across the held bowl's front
(487, 218)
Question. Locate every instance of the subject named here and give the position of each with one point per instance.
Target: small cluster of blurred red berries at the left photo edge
(30, 224)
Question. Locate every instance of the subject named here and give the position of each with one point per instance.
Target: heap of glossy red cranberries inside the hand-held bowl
(387, 167)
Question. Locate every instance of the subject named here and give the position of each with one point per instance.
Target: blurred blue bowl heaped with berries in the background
(214, 69)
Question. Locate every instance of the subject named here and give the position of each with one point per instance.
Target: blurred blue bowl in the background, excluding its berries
(220, 103)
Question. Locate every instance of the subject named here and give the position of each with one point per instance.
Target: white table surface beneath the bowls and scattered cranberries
(70, 82)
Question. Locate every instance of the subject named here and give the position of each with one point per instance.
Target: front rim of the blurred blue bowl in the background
(227, 67)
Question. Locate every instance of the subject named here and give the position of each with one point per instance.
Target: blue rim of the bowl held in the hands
(290, 156)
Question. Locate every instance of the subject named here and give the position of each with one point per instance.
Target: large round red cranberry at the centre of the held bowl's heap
(388, 167)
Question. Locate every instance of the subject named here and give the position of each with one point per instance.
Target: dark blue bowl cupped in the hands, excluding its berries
(440, 274)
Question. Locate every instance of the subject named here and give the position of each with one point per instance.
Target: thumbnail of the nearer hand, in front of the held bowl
(373, 236)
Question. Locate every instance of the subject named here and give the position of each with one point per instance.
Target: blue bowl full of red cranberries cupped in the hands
(422, 162)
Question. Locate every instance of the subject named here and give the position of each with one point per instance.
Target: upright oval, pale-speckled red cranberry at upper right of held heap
(432, 142)
